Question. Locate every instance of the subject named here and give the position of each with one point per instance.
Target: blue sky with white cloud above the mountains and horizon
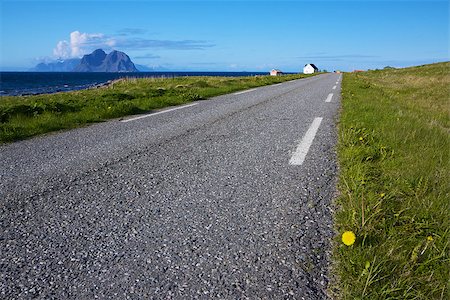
(228, 35)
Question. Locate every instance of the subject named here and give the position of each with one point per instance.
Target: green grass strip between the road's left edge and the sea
(24, 117)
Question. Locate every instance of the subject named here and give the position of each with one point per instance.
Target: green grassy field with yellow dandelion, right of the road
(393, 149)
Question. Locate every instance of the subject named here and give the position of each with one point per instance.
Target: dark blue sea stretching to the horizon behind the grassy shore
(34, 83)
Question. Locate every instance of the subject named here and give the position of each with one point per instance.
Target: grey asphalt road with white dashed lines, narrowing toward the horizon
(204, 201)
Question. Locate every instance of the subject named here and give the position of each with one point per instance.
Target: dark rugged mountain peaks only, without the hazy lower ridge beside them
(99, 61)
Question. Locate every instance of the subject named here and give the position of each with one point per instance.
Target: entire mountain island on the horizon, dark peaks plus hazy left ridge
(97, 61)
